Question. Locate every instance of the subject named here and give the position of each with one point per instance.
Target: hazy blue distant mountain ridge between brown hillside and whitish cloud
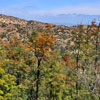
(69, 19)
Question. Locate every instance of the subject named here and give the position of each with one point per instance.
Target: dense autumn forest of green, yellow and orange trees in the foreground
(38, 69)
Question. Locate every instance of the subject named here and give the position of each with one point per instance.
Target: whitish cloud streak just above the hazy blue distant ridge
(66, 10)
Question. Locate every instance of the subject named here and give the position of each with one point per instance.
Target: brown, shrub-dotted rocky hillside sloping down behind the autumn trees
(11, 25)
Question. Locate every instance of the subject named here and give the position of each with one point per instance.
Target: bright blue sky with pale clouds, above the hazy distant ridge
(34, 8)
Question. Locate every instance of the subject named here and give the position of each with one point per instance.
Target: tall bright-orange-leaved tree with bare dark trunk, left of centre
(41, 45)
